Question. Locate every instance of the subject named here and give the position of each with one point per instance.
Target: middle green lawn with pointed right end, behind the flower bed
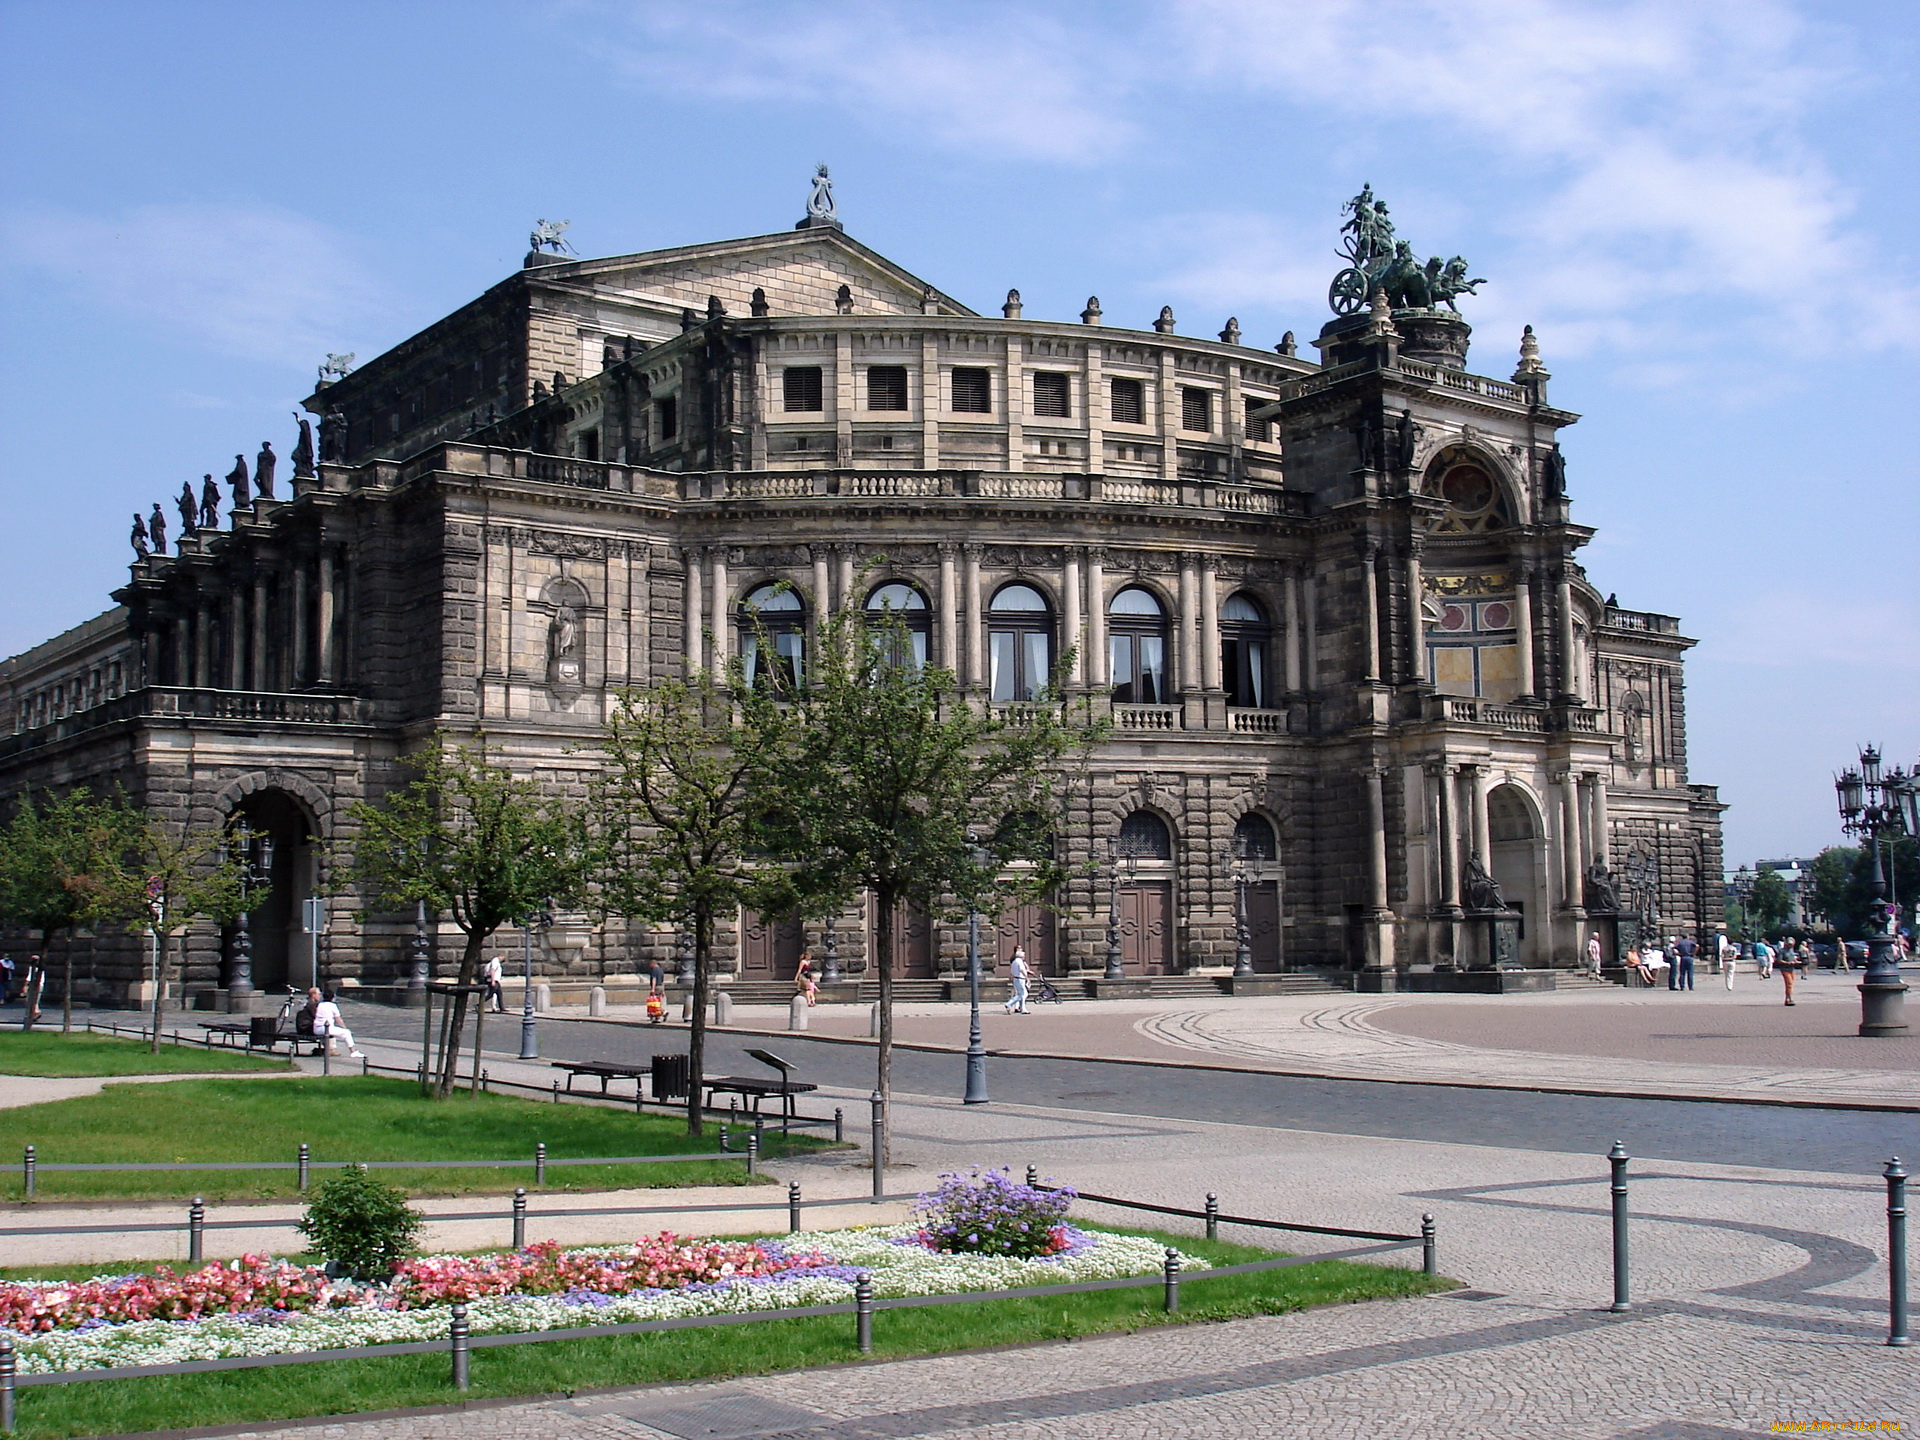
(343, 1118)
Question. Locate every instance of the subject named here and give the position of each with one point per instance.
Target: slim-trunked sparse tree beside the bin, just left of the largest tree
(686, 777)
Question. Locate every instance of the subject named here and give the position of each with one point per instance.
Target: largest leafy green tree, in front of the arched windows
(905, 790)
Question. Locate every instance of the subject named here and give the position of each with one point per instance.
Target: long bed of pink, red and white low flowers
(260, 1307)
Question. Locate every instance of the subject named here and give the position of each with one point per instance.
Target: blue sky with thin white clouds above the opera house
(1706, 210)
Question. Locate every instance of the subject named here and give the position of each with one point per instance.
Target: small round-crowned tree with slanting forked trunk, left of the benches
(477, 842)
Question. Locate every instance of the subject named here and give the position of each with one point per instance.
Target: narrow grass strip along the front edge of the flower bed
(761, 1349)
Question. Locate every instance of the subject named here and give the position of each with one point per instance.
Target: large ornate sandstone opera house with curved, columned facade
(1333, 610)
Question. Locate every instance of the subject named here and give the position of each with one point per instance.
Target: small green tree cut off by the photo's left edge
(49, 850)
